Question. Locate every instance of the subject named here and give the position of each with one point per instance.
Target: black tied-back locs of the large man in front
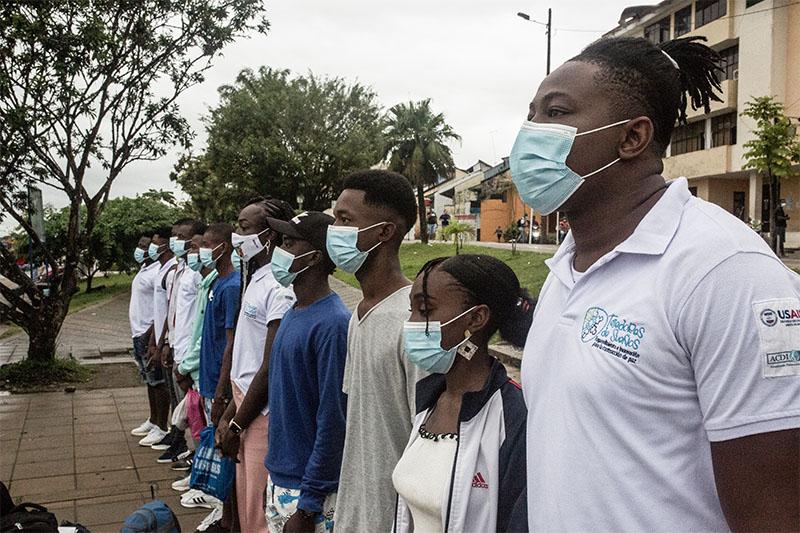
(644, 81)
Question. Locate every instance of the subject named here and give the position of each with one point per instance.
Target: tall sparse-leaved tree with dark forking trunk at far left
(86, 88)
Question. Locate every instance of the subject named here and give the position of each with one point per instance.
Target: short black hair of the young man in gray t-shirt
(384, 188)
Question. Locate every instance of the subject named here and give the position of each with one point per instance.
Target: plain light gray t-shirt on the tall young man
(379, 381)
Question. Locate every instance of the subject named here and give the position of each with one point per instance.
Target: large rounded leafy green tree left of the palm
(281, 135)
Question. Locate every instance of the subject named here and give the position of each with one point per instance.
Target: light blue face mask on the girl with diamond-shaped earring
(424, 348)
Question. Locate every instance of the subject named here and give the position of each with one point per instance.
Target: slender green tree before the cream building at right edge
(774, 149)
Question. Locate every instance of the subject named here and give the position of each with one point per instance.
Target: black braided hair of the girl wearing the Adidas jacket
(488, 281)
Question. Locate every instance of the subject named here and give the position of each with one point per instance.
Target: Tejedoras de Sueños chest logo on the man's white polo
(612, 334)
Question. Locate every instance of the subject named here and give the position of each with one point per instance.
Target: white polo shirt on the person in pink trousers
(264, 300)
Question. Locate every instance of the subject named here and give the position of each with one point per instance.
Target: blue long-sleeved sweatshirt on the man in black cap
(306, 404)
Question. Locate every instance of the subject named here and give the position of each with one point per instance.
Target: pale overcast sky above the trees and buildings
(478, 62)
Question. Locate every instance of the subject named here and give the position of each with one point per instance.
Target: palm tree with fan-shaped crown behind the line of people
(416, 146)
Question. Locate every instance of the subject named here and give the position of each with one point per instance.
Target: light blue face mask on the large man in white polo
(538, 164)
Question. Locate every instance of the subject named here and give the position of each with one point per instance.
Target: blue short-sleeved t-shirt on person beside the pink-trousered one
(220, 315)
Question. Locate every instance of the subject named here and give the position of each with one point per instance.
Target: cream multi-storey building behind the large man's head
(759, 41)
